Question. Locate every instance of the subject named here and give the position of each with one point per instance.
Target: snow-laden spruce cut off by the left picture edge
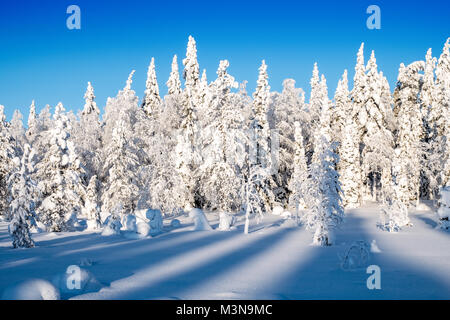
(7, 154)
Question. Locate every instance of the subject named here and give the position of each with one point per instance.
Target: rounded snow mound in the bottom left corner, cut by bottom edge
(35, 289)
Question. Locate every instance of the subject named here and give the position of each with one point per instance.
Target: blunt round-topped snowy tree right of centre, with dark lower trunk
(287, 107)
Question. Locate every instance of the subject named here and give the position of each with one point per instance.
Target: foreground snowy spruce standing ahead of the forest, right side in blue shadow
(323, 199)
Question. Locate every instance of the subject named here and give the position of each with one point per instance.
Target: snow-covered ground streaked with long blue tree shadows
(274, 261)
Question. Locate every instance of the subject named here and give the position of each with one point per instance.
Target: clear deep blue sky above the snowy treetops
(41, 59)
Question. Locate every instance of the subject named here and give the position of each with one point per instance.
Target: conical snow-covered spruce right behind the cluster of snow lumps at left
(120, 187)
